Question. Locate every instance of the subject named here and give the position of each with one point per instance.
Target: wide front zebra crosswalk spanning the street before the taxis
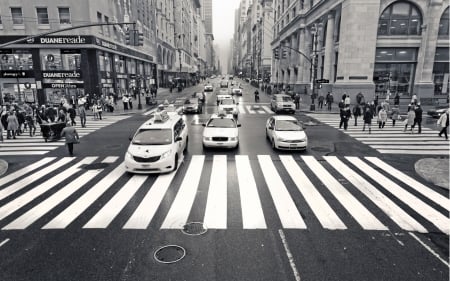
(339, 193)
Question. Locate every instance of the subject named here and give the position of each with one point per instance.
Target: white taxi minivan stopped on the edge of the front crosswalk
(158, 145)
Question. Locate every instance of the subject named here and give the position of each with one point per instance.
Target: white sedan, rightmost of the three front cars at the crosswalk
(286, 132)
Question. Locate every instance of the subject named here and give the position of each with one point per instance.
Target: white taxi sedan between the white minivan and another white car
(221, 130)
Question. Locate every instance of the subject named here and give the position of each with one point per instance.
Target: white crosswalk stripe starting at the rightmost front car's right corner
(365, 218)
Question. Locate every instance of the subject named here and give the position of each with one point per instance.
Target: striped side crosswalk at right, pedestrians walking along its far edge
(392, 140)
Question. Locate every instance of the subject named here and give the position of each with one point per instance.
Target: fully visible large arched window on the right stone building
(400, 18)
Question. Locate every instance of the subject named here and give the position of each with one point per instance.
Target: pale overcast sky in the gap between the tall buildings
(223, 26)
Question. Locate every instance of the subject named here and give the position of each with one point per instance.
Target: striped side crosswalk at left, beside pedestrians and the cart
(36, 145)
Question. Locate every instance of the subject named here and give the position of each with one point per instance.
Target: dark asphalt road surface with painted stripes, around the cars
(244, 250)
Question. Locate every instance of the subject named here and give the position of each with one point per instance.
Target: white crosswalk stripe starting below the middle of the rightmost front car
(324, 213)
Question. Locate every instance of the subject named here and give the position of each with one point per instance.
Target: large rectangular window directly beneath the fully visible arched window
(394, 70)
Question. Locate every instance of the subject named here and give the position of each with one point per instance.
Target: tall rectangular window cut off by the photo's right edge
(441, 71)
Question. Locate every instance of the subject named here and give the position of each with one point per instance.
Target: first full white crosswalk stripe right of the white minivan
(181, 206)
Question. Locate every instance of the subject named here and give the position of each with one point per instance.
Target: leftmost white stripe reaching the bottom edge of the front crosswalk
(51, 202)
